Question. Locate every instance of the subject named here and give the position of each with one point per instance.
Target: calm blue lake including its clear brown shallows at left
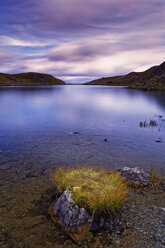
(42, 128)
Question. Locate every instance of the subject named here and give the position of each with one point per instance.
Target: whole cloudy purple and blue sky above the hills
(81, 40)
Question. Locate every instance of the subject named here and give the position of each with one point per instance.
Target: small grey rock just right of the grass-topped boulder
(135, 175)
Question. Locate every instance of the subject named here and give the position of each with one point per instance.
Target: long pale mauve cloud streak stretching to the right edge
(87, 50)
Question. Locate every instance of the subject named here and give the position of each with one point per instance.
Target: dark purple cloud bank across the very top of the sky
(68, 16)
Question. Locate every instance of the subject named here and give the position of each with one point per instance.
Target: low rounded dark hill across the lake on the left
(30, 78)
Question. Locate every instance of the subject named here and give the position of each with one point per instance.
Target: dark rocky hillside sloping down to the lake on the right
(152, 79)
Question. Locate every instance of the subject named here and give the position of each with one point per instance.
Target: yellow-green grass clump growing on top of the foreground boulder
(96, 189)
